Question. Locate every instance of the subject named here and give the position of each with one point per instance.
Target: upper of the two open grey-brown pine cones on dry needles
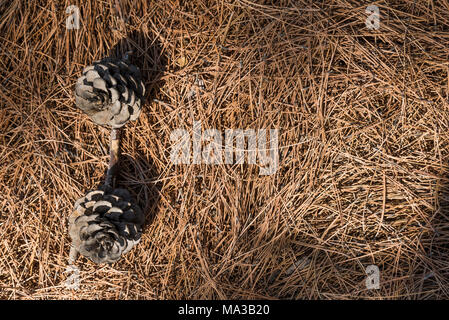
(110, 92)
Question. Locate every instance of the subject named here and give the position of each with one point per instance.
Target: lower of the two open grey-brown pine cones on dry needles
(105, 225)
